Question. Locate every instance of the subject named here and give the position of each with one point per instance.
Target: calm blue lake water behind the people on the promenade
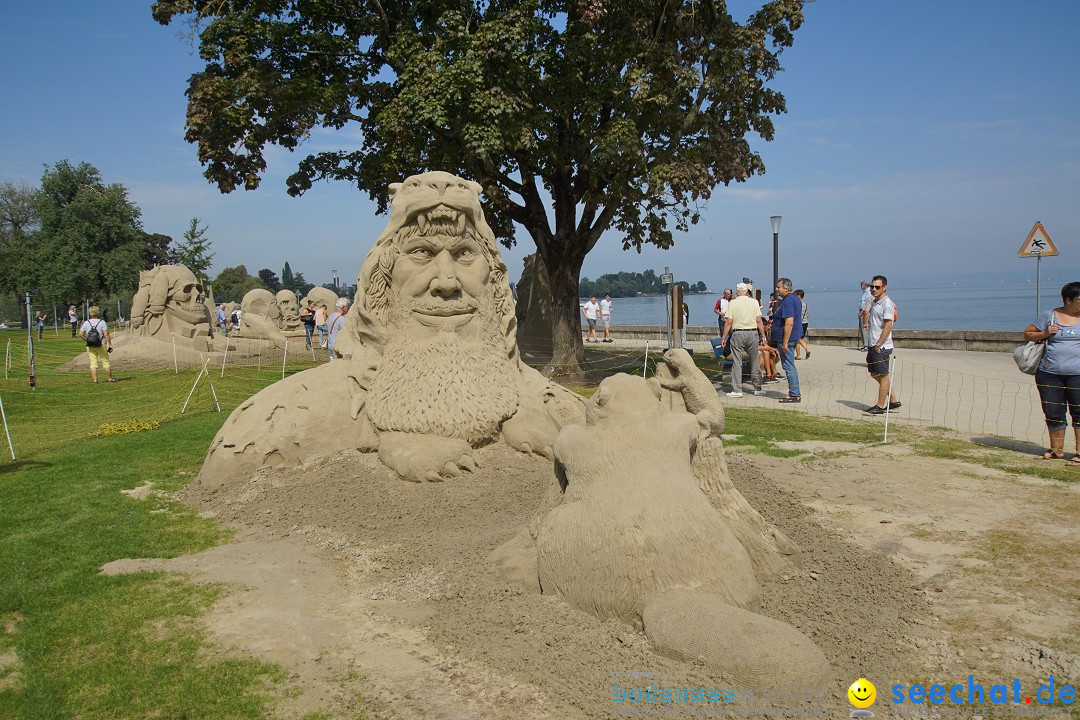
(1005, 307)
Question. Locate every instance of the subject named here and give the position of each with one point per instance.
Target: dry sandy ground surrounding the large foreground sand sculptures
(916, 570)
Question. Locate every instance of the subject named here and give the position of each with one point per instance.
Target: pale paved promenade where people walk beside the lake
(980, 396)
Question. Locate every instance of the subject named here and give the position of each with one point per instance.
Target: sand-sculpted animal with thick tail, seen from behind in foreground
(649, 533)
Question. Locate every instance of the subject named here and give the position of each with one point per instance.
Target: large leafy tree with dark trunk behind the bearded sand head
(617, 115)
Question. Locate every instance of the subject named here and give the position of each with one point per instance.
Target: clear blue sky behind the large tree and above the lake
(924, 139)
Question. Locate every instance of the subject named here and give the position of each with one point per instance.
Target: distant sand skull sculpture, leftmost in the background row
(171, 303)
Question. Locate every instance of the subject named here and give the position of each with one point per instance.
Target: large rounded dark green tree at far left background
(91, 241)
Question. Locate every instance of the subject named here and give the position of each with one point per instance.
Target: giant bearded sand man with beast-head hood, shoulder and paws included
(427, 366)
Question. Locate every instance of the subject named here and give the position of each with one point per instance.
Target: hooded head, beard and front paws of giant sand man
(433, 343)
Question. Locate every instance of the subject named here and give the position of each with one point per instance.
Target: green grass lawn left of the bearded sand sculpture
(75, 644)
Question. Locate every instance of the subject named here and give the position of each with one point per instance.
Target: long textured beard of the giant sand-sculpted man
(444, 385)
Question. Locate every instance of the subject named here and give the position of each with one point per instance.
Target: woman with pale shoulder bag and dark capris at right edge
(1058, 377)
